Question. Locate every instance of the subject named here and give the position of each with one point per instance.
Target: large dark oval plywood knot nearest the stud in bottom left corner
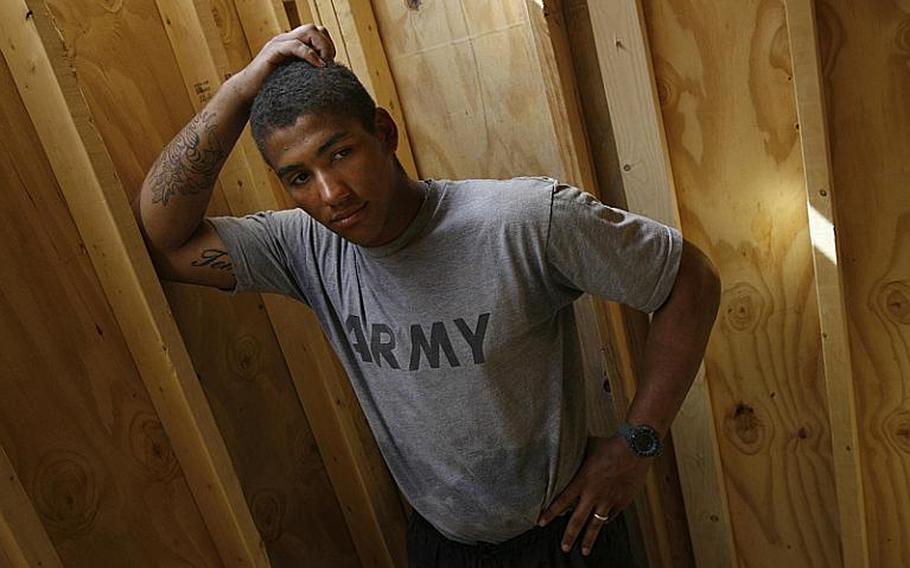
(66, 493)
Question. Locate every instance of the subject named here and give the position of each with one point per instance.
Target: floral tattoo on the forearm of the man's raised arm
(190, 163)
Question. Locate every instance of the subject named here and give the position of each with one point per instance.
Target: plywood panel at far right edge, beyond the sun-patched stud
(864, 48)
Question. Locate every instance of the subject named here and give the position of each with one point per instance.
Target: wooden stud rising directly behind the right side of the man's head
(366, 57)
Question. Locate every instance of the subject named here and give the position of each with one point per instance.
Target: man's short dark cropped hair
(295, 88)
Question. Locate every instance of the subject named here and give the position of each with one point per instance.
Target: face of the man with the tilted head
(342, 175)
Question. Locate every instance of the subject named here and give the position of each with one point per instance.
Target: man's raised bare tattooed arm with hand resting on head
(177, 189)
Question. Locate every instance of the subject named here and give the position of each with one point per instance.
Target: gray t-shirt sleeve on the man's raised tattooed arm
(258, 245)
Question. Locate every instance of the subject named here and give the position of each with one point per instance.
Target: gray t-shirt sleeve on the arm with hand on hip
(611, 253)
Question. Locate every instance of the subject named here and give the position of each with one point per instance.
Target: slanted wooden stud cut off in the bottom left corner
(23, 540)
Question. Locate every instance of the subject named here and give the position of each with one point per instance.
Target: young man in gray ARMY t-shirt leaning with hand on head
(450, 305)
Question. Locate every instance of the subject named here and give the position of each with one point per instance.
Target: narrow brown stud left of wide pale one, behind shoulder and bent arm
(659, 508)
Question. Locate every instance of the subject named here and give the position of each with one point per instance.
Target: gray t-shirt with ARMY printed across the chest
(459, 337)
